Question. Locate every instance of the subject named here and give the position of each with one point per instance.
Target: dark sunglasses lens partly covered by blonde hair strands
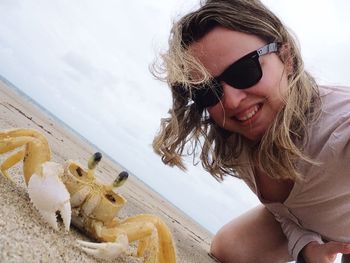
(208, 94)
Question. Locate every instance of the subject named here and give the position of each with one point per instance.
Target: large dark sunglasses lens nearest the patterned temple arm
(243, 73)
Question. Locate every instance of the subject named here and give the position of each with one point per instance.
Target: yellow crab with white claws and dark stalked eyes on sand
(78, 196)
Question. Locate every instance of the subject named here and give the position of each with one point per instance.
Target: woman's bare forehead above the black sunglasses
(220, 47)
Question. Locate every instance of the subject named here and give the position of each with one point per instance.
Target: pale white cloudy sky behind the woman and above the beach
(87, 62)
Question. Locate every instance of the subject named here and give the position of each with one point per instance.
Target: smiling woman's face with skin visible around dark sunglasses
(250, 111)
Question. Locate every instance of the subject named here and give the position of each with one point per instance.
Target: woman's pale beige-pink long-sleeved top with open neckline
(319, 207)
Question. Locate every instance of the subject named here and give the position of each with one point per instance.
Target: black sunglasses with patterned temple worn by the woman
(242, 74)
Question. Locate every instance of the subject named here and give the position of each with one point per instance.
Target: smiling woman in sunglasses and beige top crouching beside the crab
(244, 104)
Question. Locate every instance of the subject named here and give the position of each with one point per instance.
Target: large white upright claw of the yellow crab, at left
(49, 194)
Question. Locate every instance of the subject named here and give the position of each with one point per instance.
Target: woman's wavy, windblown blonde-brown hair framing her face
(190, 131)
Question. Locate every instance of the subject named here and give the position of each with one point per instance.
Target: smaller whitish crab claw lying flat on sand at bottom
(106, 251)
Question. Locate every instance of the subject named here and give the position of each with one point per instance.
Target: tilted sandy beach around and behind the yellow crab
(25, 237)
